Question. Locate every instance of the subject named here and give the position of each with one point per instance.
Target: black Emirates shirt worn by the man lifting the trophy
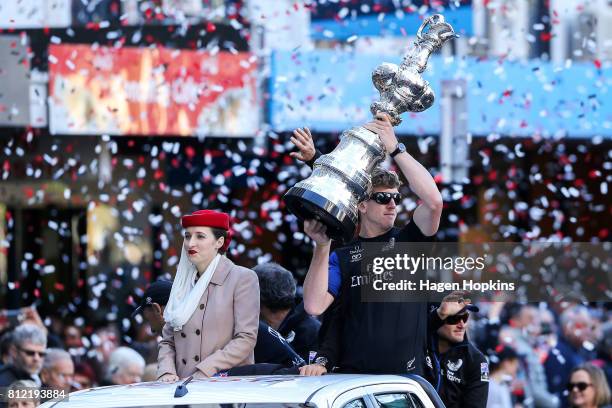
(372, 337)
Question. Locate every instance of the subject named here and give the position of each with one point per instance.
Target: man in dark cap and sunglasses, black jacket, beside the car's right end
(459, 371)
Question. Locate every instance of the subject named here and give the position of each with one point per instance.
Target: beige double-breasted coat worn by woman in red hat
(222, 331)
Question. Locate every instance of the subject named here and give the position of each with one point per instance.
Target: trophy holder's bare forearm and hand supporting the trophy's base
(316, 295)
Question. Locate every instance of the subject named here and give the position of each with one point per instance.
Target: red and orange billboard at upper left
(151, 91)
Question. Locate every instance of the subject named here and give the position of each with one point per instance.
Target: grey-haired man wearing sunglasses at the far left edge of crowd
(27, 351)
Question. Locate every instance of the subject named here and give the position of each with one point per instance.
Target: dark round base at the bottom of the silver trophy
(307, 205)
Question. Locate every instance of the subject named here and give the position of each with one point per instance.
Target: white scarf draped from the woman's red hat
(185, 295)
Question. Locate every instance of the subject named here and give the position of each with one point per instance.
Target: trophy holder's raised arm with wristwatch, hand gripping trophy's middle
(427, 215)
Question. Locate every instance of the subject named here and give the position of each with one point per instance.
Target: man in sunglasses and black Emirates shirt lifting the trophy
(368, 331)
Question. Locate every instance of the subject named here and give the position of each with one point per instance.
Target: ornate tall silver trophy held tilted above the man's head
(341, 179)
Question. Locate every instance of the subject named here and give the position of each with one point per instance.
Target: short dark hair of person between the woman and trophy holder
(276, 286)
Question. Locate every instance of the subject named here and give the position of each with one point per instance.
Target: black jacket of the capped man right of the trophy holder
(460, 375)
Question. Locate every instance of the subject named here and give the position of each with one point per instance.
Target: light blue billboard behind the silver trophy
(330, 91)
